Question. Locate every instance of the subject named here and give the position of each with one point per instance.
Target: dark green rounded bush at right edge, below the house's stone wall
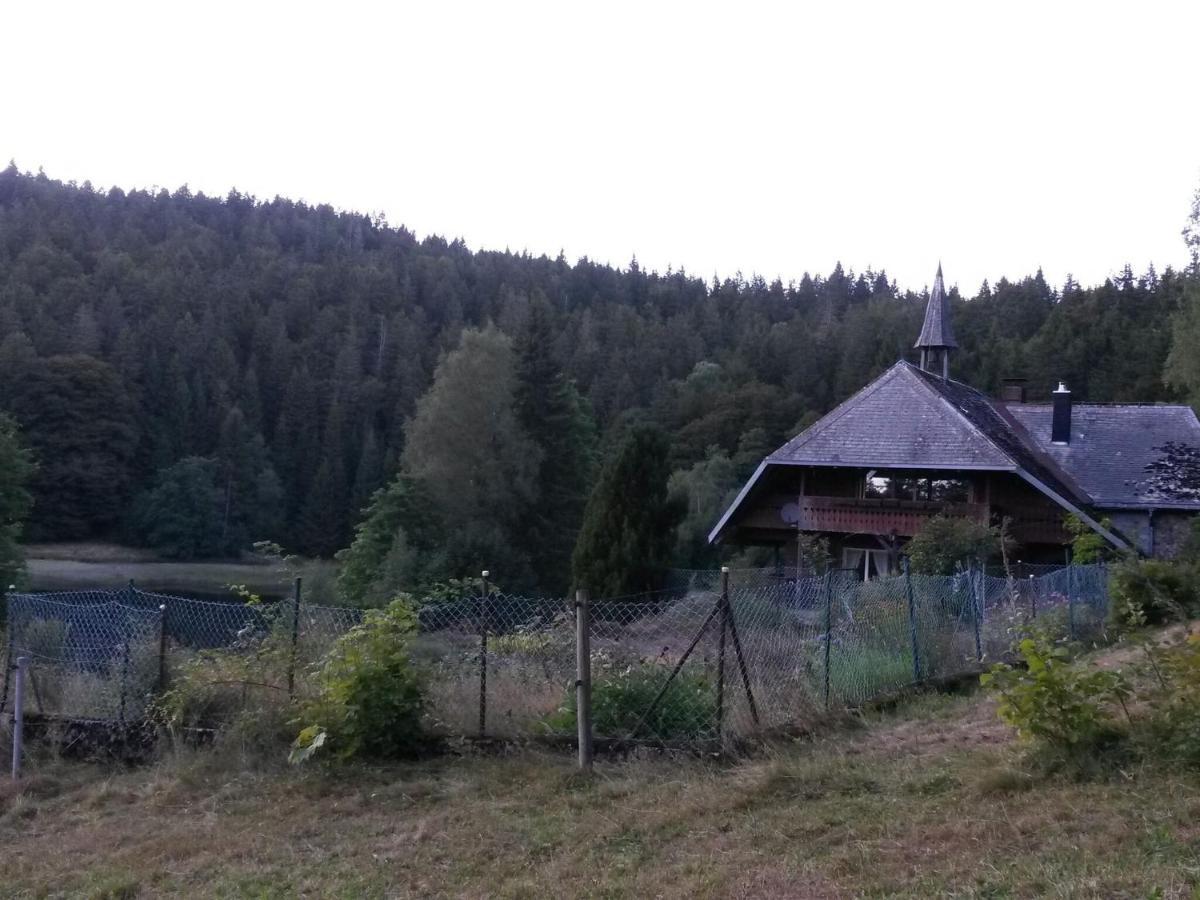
(1151, 592)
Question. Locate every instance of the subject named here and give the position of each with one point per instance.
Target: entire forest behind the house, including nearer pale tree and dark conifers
(199, 374)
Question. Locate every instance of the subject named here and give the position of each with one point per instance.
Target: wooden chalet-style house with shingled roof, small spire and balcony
(916, 443)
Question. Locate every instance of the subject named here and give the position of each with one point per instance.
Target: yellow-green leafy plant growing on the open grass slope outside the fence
(1057, 703)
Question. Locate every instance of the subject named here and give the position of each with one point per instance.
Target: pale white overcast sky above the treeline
(764, 139)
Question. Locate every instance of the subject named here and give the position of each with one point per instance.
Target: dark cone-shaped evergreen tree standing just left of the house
(628, 533)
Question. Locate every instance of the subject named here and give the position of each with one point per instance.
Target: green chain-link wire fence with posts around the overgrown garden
(709, 663)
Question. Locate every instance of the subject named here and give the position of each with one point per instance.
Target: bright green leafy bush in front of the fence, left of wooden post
(370, 698)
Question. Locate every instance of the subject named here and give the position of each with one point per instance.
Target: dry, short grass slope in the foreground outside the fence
(920, 806)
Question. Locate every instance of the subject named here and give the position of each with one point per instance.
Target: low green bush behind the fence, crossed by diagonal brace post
(621, 697)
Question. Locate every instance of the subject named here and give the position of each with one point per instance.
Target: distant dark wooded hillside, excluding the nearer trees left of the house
(280, 350)
